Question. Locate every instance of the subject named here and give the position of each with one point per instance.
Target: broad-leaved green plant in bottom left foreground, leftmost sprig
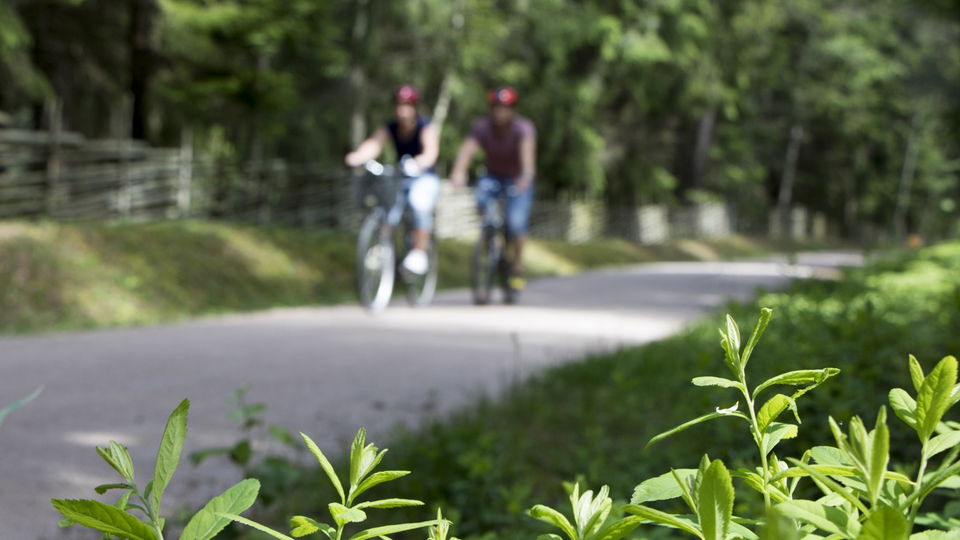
(136, 513)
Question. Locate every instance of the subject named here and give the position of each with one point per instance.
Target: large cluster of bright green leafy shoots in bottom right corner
(862, 498)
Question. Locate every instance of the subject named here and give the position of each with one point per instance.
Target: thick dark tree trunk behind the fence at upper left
(140, 43)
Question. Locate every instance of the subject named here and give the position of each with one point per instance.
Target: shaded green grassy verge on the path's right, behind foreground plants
(591, 419)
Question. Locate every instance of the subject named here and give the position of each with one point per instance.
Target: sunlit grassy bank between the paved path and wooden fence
(66, 276)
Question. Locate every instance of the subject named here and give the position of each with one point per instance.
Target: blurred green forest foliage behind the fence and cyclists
(634, 101)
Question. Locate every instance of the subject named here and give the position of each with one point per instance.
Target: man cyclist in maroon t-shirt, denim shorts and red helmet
(509, 144)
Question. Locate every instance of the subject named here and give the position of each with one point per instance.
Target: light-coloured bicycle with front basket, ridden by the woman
(386, 231)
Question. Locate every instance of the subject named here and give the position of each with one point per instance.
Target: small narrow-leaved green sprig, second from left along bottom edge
(364, 459)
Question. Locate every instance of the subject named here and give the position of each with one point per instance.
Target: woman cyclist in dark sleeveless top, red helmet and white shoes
(416, 139)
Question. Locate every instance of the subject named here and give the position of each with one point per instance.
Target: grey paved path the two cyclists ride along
(324, 371)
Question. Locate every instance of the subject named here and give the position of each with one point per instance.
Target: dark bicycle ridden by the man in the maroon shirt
(490, 260)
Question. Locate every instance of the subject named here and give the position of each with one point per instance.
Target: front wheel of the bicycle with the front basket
(376, 268)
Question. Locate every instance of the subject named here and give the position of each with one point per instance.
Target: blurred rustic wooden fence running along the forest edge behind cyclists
(67, 177)
